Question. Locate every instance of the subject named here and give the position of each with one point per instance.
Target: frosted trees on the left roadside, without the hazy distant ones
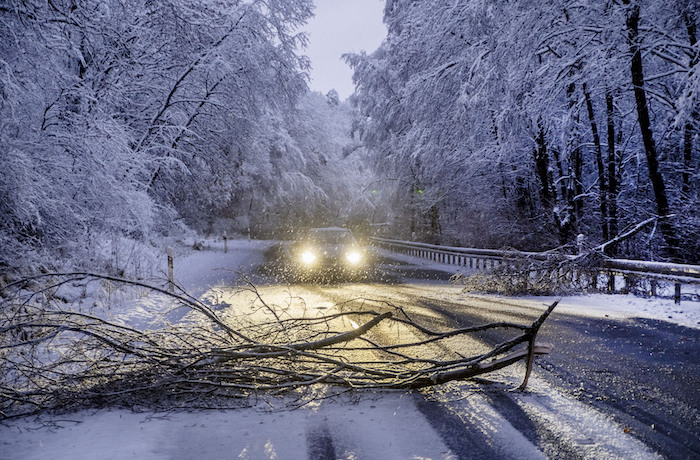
(117, 118)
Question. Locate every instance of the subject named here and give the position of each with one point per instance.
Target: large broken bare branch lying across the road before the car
(56, 356)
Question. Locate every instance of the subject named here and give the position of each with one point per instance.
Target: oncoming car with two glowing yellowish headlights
(330, 252)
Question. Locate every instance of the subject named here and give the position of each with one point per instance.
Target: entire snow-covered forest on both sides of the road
(478, 123)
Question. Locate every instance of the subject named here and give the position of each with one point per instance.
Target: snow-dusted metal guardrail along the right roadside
(648, 277)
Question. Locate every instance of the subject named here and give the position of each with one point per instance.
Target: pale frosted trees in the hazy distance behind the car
(316, 174)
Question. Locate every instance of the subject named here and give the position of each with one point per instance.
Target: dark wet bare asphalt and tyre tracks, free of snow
(642, 373)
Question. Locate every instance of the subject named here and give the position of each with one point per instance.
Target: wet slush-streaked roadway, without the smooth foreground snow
(610, 389)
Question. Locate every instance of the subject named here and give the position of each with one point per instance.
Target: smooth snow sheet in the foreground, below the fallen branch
(383, 428)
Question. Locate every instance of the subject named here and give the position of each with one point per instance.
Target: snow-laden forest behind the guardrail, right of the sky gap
(526, 123)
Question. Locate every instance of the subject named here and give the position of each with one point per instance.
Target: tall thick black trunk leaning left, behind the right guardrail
(655, 176)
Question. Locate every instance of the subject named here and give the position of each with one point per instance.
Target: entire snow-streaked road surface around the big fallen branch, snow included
(616, 386)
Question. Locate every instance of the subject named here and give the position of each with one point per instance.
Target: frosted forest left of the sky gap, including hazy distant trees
(126, 123)
